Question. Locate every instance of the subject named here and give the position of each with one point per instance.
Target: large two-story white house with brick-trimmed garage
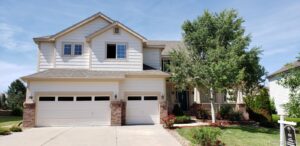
(100, 72)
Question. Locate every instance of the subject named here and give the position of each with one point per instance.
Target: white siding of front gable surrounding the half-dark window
(133, 61)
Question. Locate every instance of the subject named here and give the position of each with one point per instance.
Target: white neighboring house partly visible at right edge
(277, 92)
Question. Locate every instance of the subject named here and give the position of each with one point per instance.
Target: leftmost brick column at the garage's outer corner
(29, 115)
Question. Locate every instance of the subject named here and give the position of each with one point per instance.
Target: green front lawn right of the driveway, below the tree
(244, 136)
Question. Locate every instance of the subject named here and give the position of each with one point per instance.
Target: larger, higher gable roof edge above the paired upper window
(73, 27)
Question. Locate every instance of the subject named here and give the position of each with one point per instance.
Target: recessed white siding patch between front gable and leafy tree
(152, 57)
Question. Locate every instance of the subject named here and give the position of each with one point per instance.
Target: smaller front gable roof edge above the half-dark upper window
(115, 24)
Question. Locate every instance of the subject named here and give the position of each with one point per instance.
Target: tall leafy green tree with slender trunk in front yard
(217, 55)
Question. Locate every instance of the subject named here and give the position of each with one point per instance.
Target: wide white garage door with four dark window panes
(73, 111)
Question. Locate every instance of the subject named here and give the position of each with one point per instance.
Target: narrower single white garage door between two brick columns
(142, 110)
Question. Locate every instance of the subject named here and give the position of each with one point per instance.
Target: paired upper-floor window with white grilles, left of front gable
(72, 49)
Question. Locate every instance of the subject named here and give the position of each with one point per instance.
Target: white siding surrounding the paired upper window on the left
(77, 36)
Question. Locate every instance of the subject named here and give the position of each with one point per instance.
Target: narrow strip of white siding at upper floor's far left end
(46, 56)
